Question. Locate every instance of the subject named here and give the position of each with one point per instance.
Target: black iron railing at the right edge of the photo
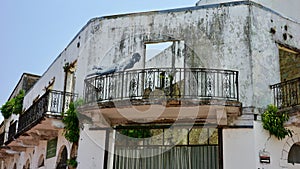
(287, 93)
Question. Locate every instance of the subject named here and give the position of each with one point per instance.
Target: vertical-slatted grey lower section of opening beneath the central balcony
(178, 157)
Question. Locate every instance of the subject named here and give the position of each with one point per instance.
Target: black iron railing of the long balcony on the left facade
(51, 103)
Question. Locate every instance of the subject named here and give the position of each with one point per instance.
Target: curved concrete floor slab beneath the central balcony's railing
(182, 111)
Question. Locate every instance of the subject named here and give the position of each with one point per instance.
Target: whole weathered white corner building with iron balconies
(192, 104)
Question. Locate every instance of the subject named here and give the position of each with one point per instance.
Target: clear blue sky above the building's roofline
(34, 32)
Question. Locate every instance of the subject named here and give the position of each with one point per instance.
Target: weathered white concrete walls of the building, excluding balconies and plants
(235, 35)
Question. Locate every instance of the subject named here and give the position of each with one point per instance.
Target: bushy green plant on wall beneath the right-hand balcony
(273, 121)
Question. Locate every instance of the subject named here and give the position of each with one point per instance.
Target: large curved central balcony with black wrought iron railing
(165, 89)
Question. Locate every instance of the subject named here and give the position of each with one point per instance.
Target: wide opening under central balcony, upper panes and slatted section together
(170, 148)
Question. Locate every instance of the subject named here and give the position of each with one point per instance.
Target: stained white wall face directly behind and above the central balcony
(211, 34)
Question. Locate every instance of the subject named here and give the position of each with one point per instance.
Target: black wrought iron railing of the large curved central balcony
(170, 83)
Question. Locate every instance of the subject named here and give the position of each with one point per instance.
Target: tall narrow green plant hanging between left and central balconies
(71, 121)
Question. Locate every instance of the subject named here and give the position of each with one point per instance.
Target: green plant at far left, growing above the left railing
(13, 106)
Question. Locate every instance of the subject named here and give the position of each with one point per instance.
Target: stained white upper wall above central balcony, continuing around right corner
(219, 37)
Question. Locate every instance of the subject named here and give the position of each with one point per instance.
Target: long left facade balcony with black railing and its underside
(39, 116)
